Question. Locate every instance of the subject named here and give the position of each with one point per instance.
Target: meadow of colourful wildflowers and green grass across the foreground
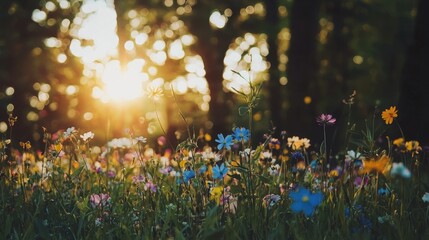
(221, 186)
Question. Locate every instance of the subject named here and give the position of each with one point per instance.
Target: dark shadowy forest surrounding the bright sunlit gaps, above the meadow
(320, 51)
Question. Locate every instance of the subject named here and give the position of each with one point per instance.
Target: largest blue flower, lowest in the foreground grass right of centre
(305, 201)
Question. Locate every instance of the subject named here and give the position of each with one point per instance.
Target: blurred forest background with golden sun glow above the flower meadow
(90, 63)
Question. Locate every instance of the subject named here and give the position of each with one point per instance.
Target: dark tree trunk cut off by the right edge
(414, 103)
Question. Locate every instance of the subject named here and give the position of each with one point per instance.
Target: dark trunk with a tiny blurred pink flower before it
(302, 67)
